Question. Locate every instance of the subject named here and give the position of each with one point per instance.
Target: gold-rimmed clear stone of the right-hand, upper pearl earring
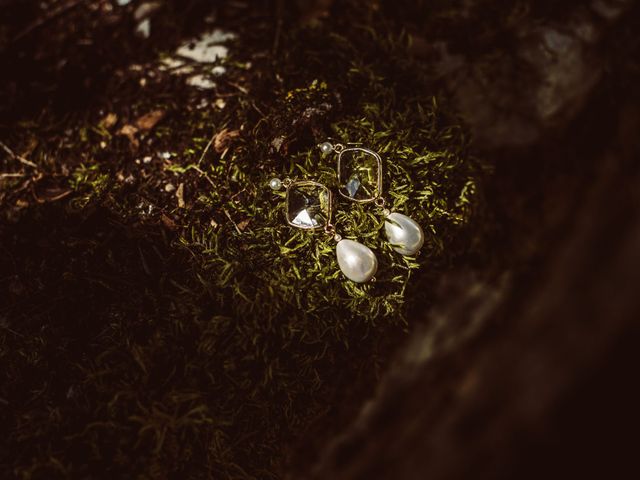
(358, 175)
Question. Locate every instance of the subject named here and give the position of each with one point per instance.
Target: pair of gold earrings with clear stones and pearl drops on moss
(309, 207)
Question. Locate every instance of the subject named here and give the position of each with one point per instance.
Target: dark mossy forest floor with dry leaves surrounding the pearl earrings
(158, 318)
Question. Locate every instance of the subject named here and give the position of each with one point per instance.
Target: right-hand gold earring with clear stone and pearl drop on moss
(360, 178)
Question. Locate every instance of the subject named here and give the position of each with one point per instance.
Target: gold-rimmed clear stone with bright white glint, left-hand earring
(308, 206)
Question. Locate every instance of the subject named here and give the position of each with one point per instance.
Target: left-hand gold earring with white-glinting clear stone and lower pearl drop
(308, 206)
